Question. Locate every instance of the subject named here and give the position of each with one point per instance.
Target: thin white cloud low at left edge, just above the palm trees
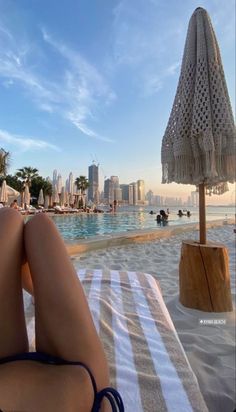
(25, 143)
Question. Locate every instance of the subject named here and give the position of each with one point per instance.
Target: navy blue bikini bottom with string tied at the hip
(110, 393)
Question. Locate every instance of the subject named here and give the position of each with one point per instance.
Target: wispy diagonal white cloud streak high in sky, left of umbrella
(85, 88)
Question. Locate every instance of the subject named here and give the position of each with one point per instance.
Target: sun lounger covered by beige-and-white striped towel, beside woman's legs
(147, 361)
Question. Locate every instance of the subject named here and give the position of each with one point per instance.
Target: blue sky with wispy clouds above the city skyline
(95, 80)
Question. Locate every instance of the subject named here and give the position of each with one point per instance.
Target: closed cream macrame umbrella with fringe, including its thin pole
(198, 146)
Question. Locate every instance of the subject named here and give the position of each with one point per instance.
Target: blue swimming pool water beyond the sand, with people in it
(82, 226)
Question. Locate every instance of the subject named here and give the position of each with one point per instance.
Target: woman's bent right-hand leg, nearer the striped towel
(64, 326)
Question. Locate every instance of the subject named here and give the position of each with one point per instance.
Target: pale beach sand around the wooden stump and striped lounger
(209, 348)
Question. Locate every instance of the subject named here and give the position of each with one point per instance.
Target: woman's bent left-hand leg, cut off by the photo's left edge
(13, 336)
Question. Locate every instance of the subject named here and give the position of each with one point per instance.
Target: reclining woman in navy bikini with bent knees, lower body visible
(68, 371)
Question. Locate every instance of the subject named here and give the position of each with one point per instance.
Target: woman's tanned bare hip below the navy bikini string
(35, 387)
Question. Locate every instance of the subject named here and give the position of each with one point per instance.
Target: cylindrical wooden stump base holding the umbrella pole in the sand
(204, 277)
